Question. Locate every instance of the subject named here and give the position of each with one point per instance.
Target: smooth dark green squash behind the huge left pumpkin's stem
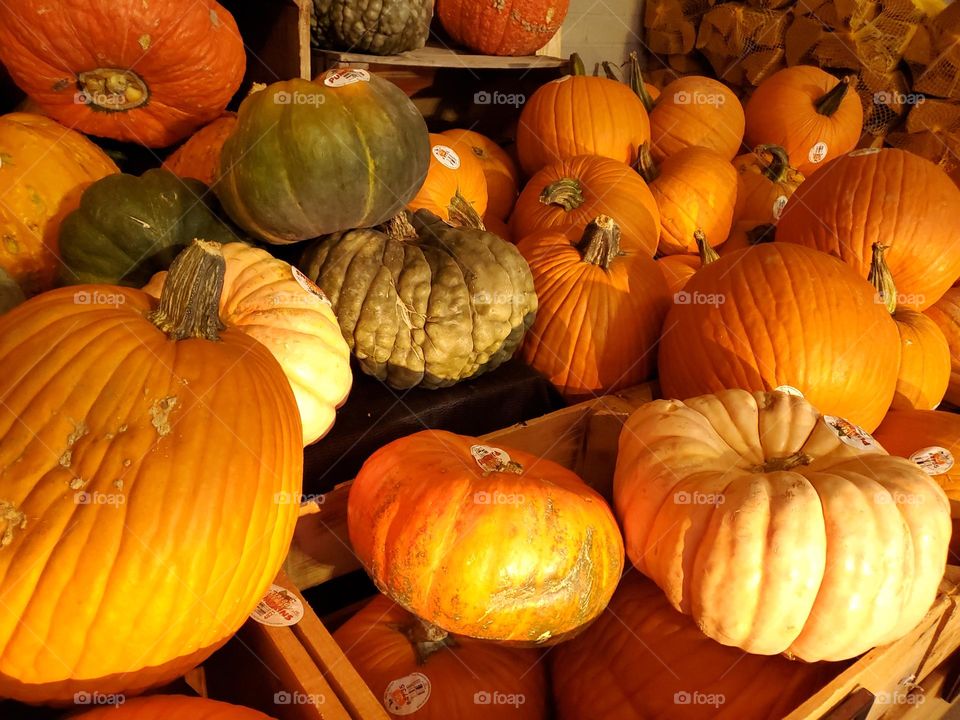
(127, 228)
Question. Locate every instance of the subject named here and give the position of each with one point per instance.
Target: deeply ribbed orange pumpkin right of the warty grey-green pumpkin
(600, 311)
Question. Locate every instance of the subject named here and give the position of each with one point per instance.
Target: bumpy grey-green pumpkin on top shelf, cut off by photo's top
(378, 27)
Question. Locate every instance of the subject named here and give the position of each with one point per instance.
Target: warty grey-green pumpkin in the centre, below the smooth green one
(425, 304)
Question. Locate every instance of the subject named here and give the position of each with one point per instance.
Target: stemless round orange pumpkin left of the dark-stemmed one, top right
(695, 111)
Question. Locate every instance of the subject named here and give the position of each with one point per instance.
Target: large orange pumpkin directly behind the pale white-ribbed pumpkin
(758, 319)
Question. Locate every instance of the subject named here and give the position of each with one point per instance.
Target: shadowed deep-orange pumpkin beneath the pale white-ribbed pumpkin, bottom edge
(641, 654)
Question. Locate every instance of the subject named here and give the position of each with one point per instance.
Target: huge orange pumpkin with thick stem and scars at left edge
(116, 409)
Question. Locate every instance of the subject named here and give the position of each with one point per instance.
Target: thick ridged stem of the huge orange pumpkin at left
(190, 300)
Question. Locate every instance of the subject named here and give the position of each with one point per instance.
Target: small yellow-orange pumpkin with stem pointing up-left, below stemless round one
(695, 189)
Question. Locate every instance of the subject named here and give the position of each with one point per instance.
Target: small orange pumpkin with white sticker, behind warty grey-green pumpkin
(455, 189)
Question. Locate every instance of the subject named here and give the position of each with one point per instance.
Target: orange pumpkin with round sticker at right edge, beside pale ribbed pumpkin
(931, 438)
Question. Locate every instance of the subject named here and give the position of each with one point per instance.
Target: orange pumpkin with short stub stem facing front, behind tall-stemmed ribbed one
(576, 190)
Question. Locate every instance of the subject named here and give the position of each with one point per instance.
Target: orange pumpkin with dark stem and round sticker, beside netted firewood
(808, 112)
